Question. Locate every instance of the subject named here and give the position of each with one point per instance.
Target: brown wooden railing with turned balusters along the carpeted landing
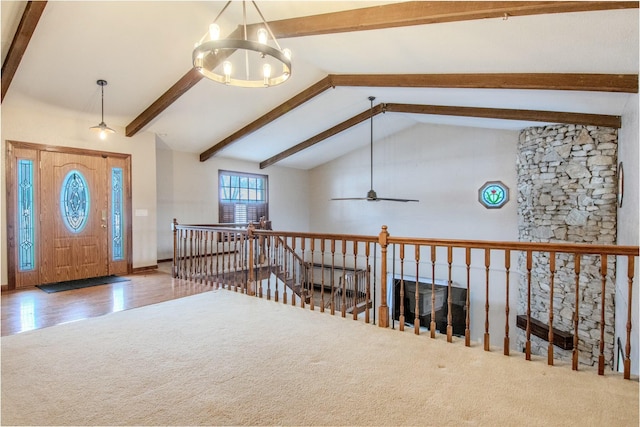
(484, 269)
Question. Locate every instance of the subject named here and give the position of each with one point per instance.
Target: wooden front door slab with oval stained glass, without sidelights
(74, 217)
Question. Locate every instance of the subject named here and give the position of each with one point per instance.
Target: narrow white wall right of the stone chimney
(628, 232)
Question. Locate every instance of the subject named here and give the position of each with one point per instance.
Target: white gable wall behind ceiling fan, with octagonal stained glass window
(443, 167)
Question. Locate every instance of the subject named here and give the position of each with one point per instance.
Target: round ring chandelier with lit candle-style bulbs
(239, 61)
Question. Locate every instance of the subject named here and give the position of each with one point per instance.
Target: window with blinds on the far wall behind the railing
(242, 197)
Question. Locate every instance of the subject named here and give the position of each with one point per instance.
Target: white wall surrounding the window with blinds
(188, 191)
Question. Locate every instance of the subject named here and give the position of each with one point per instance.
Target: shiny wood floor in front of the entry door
(28, 309)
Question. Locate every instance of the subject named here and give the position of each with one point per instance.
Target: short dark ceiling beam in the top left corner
(28, 23)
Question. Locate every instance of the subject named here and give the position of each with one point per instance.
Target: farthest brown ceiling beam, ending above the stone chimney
(490, 113)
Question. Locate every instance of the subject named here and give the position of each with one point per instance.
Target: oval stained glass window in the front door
(74, 201)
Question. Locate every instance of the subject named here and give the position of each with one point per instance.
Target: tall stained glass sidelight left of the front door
(26, 232)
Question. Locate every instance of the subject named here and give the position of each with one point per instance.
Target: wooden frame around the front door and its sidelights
(11, 202)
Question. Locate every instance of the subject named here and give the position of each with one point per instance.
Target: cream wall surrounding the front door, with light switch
(57, 129)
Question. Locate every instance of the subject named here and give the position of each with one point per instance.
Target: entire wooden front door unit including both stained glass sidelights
(68, 214)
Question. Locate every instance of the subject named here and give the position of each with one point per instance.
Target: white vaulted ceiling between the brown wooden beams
(142, 48)
